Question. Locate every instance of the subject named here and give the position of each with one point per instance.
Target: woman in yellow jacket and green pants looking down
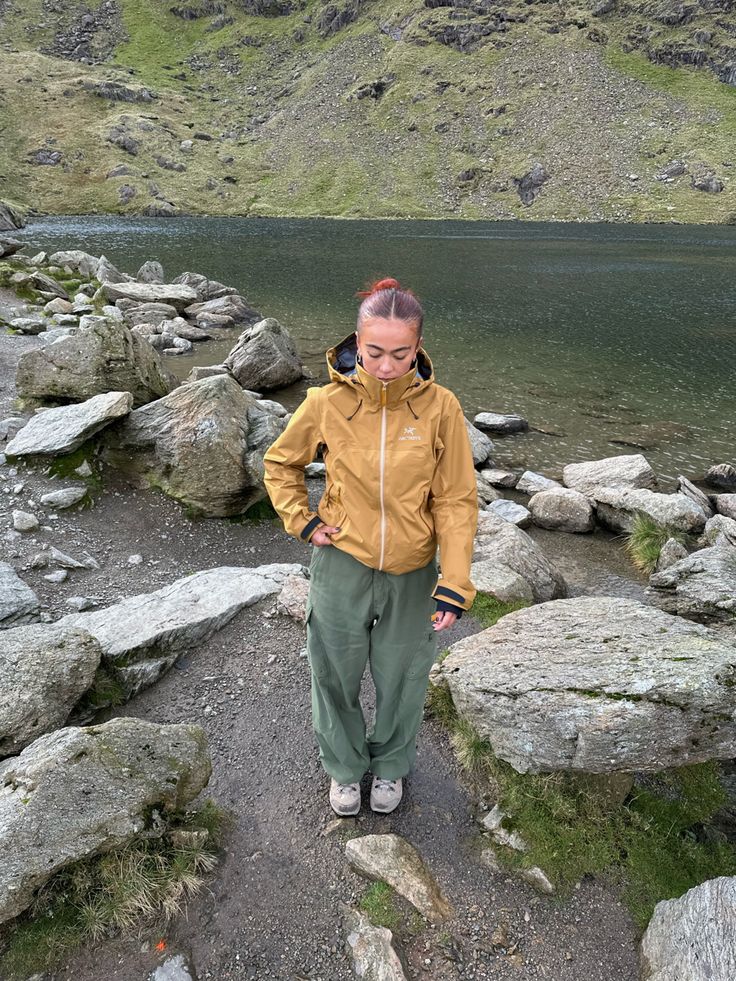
(399, 482)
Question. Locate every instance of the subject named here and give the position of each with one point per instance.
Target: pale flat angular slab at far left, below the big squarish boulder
(65, 428)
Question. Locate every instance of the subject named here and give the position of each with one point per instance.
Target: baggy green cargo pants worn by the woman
(357, 616)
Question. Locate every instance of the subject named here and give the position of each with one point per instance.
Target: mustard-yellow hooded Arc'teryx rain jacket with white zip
(400, 478)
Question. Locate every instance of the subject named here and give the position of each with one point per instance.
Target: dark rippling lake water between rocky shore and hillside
(601, 335)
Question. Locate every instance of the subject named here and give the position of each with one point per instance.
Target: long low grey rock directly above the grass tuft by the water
(617, 508)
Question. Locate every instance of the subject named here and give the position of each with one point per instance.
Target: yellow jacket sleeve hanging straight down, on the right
(454, 504)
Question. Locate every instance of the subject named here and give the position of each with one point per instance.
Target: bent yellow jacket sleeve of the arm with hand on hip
(284, 464)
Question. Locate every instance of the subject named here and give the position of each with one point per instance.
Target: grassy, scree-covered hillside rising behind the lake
(612, 110)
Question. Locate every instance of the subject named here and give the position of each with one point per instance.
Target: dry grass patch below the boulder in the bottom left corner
(152, 879)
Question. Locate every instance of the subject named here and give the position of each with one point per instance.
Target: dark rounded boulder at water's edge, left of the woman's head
(265, 357)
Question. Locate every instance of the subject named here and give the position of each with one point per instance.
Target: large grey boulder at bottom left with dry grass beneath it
(81, 792)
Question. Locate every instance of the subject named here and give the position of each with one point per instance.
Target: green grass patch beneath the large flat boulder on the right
(651, 845)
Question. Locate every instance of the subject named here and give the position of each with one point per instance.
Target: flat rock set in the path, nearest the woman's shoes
(390, 858)
